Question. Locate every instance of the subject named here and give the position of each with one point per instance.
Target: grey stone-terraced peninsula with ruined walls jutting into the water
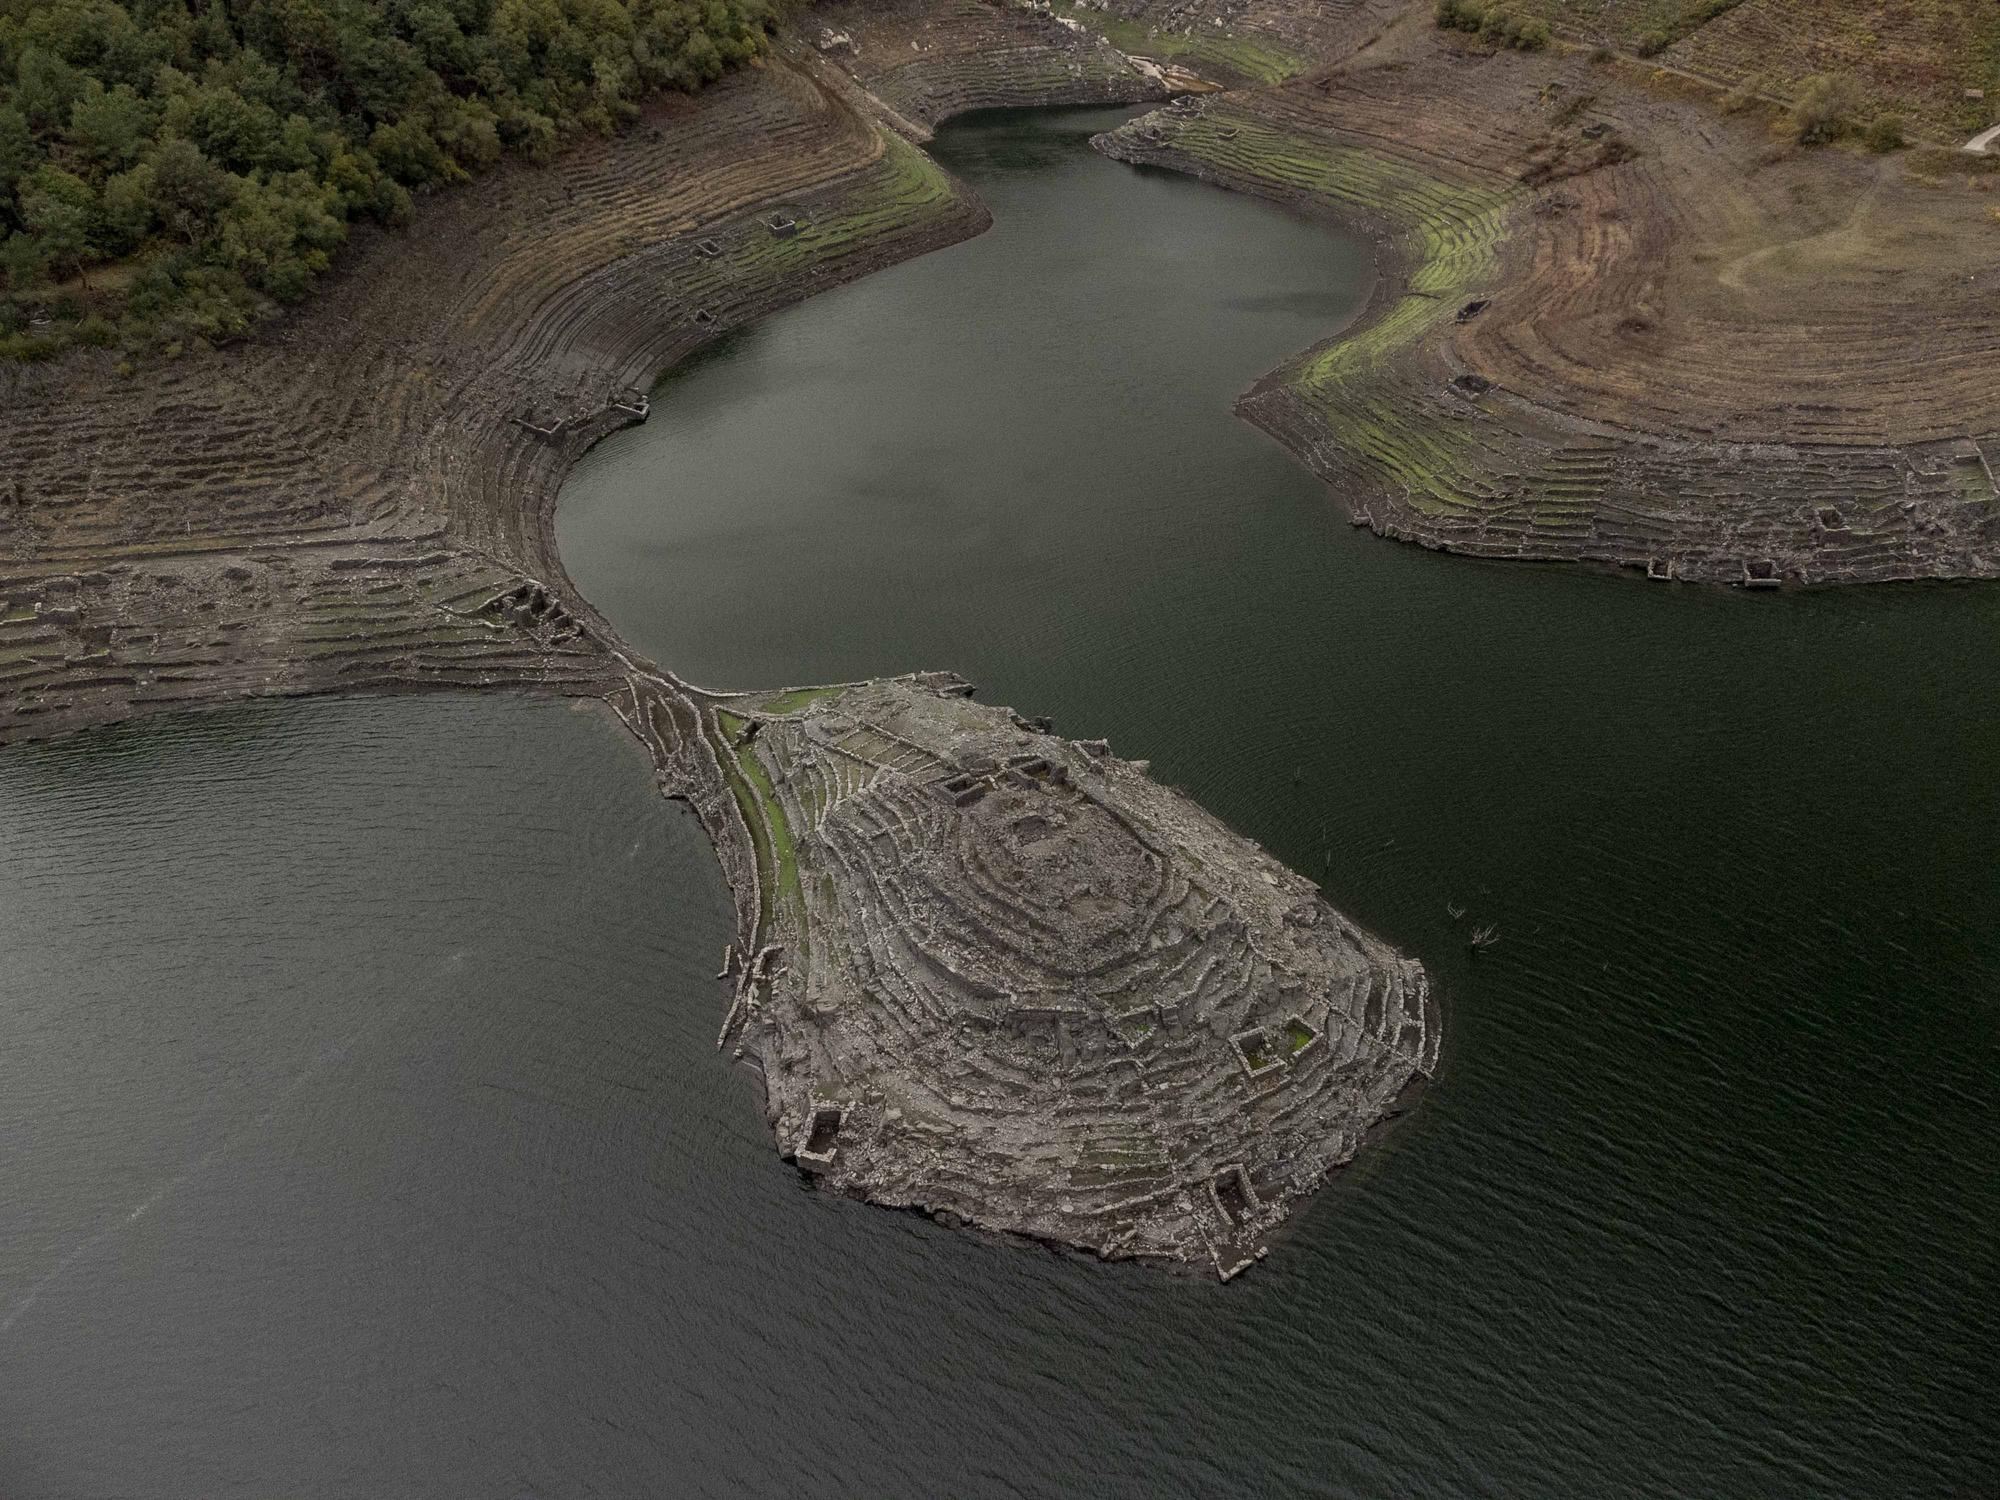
(1011, 979)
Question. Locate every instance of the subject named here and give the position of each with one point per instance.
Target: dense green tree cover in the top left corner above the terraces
(173, 167)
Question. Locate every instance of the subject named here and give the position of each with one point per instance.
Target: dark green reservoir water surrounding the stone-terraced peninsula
(363, 1129)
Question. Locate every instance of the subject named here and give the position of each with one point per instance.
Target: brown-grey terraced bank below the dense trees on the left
(355, 499)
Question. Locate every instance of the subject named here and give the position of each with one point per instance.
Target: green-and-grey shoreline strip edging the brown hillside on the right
(1427, 449)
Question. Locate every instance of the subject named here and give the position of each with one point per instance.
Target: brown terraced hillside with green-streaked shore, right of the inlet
(1623, 333)
